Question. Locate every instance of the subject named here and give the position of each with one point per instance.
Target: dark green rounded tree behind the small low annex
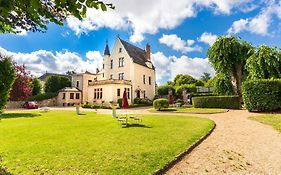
(55, 83)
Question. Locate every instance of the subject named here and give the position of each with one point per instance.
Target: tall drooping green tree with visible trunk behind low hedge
(228, 56)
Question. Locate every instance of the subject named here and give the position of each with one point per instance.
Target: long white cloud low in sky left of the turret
(40, 61)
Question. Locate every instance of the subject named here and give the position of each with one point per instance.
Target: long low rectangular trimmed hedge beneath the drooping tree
(224, 102)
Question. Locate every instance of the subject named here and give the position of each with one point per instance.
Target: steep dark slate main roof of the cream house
(137, 54)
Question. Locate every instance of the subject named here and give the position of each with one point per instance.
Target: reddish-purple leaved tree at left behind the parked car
(21, 89)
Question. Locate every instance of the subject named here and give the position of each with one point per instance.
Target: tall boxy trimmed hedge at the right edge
(262, 95)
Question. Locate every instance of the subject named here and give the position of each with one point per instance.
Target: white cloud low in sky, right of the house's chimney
(168, 67)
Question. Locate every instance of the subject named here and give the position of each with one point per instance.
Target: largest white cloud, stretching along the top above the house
(147, 17)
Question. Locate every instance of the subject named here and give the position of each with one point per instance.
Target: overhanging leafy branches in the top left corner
(34, 15)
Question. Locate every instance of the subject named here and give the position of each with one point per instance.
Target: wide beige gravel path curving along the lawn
(238, 145)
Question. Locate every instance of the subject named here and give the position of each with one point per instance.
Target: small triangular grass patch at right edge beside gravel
(270, 119)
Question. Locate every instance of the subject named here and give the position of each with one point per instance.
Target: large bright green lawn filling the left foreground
(60, 142)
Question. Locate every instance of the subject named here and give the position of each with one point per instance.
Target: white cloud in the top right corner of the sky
(259, 24)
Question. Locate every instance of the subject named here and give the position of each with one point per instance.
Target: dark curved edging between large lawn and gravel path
(180, 156)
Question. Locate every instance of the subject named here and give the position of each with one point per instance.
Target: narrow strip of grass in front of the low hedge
(191, 110)
